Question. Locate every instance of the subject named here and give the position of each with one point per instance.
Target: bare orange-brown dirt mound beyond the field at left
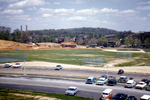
(10, 45)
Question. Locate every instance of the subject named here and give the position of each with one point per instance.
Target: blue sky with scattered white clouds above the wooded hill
(119, 15)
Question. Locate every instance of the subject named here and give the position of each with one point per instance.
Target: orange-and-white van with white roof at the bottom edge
(106, 95)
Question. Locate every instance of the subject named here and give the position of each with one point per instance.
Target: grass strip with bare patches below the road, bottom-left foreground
(12, 94)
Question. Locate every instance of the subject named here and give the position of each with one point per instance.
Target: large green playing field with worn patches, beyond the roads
(75, 56)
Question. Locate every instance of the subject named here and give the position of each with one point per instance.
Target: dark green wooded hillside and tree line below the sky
(82, 36)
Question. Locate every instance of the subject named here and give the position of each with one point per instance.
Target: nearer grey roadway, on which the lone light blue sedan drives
(59, 85)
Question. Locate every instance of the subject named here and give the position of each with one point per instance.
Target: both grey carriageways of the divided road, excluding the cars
(59, 85)
